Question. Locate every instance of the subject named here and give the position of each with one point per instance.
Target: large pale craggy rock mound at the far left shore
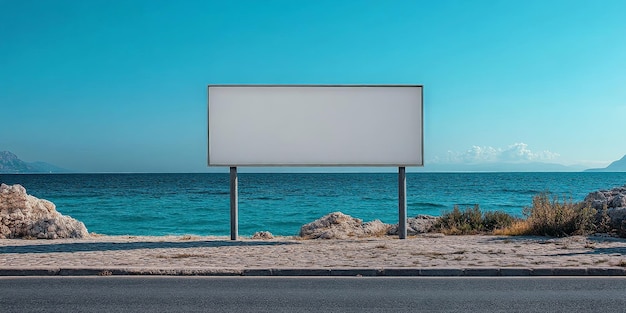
(24, 216)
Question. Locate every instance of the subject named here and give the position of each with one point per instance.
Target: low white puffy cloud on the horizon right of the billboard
(515, 153)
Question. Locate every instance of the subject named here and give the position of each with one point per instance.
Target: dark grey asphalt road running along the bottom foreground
(311, 294)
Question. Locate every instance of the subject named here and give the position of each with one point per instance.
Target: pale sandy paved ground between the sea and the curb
(425, 251)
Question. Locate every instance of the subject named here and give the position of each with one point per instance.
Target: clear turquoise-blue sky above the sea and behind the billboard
(120, 86)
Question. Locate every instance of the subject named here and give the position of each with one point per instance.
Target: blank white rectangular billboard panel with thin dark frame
(283, 125)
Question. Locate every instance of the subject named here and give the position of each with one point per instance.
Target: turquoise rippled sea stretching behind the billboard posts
(198, 204)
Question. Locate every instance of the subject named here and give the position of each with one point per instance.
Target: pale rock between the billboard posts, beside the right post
(341, 226)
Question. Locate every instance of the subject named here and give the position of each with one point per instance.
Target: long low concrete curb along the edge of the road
(319, 272)
